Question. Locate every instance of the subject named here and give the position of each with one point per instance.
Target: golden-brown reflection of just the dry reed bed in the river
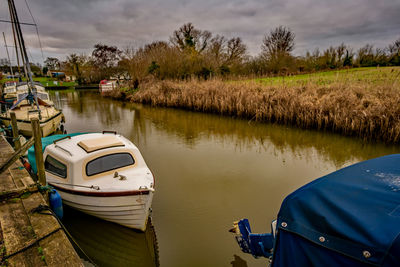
(191, 126)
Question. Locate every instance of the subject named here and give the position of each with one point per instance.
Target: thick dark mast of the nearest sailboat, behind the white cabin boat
(32, 96)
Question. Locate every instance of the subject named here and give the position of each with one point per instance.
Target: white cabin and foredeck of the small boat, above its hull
(85, 159)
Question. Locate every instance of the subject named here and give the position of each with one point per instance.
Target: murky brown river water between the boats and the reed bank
(210, 170)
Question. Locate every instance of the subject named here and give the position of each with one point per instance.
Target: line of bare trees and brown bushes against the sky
(191, 52)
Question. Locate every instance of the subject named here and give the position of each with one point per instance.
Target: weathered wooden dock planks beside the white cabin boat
(28, 238)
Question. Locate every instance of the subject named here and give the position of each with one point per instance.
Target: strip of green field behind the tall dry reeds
(372, 75)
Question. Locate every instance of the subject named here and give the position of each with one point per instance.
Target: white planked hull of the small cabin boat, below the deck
(131, 209)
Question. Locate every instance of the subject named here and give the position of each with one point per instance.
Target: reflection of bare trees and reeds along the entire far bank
(191, 126)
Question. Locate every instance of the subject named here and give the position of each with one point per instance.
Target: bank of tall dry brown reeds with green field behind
(361, 102)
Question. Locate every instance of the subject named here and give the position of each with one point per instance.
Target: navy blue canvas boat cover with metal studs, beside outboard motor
(348, 218)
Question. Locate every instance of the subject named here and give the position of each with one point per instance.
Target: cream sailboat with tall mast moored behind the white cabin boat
(31, 100)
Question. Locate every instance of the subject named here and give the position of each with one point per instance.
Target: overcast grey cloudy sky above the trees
(74, 26)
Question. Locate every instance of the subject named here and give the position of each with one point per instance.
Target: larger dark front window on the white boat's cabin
(108, 163)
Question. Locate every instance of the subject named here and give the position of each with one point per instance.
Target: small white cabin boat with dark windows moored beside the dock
(101, 174)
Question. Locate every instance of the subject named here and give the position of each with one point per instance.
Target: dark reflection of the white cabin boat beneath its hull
(109, 244)
